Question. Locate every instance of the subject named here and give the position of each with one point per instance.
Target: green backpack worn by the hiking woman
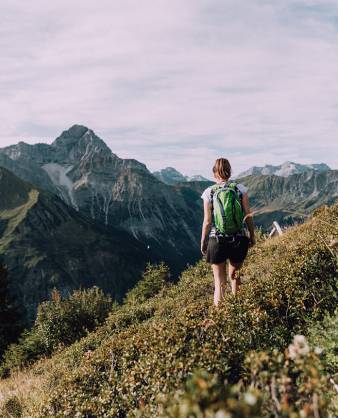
(227, 209)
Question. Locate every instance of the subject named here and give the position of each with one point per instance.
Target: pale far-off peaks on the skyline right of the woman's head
(284, 170)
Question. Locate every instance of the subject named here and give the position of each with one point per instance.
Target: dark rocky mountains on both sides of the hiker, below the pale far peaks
(75, 214)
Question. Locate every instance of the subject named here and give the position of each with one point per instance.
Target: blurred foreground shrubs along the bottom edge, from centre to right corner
(276, 384)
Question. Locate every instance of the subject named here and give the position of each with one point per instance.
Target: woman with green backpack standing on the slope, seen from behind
(226, 205)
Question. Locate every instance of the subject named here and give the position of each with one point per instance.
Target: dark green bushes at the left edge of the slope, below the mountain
(59, 323)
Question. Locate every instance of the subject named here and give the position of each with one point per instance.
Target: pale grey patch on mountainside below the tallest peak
(58, 175)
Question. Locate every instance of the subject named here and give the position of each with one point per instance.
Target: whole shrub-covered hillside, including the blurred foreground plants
(172, 354)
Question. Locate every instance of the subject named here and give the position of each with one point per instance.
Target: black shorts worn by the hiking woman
(235, 249)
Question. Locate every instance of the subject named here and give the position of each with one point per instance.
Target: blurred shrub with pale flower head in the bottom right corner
(293, 383)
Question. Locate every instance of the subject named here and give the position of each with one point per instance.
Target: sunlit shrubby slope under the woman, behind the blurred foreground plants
(151, 348)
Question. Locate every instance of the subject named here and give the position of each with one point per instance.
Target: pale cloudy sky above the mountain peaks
(175, 82)
